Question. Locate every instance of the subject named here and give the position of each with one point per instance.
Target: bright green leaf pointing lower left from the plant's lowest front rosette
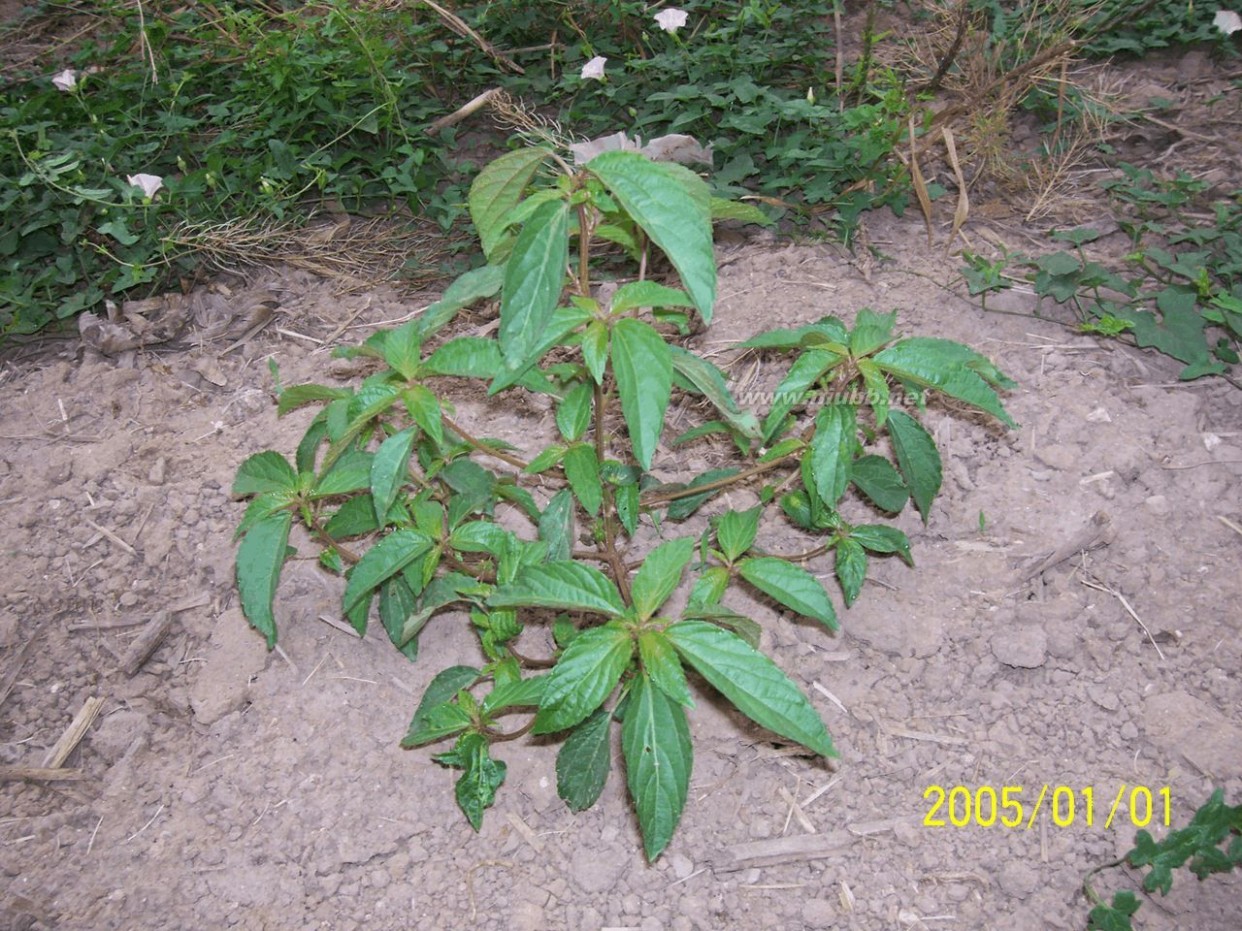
(584, 677)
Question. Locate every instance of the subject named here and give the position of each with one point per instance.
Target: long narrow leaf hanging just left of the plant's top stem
(533, 281)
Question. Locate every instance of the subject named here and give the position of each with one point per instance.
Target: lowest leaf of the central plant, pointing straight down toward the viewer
(659, 757)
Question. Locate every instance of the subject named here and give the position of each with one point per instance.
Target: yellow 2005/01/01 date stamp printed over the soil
(1023, 806)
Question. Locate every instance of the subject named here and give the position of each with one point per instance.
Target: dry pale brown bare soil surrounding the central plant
(1072, 626)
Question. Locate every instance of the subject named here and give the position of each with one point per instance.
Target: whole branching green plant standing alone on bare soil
(417, 510)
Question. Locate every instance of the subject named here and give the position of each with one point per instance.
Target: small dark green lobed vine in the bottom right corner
(1202, 843)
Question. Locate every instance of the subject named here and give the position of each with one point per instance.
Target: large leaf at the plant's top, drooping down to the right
(674, 208)
